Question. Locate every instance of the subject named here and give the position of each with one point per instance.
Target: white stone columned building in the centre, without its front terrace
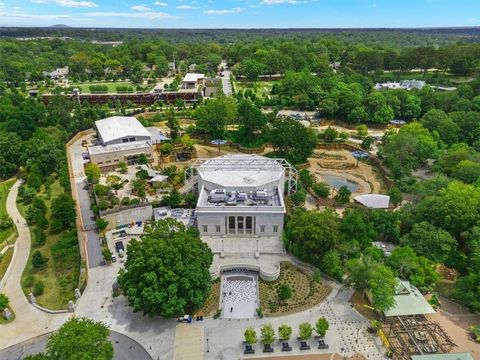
(242, 195)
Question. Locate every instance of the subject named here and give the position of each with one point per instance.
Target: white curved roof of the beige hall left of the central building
(118, 127)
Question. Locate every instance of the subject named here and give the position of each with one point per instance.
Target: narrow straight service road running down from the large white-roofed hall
(95, 257)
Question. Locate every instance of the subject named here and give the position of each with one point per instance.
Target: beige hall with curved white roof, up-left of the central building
(121, 139)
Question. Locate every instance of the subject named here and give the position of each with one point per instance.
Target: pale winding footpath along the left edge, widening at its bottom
(29, 321)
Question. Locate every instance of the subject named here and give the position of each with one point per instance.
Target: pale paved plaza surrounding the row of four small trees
(225, 336)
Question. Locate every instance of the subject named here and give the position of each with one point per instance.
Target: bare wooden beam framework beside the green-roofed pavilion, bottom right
(414, 335)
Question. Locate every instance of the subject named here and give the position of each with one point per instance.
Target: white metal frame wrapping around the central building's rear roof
(256, 162)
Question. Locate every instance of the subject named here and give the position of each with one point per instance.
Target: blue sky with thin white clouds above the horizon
(241, 13)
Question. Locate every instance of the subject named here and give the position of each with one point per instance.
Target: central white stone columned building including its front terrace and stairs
(240, 210)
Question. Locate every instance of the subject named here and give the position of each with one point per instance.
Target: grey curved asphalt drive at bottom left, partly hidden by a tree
(124, 348)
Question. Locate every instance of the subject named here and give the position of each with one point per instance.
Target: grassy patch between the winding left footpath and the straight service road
(59, 277)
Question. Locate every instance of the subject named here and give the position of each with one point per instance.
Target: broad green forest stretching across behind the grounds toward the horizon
(26, 60)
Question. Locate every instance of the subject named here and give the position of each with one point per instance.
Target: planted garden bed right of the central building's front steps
(306, 292)
